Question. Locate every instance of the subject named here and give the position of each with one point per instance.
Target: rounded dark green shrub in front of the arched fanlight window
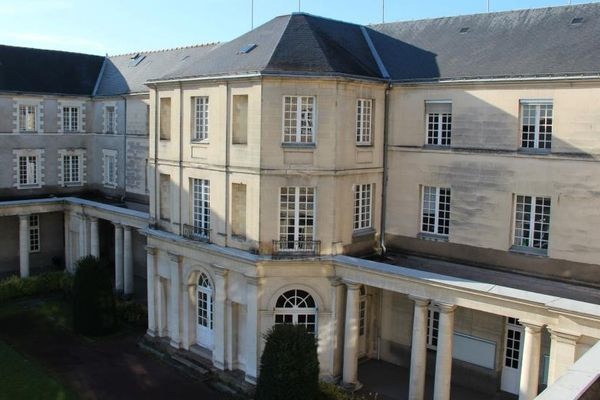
(289, 366)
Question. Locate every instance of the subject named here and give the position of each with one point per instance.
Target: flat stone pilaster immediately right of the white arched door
(220, 319)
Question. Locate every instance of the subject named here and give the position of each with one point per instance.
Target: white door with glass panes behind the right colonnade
(511, 370)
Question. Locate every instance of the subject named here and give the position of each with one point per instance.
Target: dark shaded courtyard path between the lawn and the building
(108, 368)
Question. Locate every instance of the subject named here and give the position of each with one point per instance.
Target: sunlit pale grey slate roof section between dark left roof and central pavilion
(122, 74)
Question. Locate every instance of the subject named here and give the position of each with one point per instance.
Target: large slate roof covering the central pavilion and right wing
(526, 43)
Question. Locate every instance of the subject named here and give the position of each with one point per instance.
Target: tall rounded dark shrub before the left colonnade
(94, 312)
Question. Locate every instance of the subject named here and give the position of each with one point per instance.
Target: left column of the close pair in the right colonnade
(418, 354)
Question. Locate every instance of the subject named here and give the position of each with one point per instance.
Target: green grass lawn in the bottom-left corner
(21, 378)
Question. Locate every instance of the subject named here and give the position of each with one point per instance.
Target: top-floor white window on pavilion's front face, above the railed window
(298, 119)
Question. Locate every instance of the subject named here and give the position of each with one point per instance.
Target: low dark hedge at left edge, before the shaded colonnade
(14, 287)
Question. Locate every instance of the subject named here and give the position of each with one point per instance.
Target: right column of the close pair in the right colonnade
(443, 359)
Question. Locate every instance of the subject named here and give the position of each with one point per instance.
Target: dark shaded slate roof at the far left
(48, 71)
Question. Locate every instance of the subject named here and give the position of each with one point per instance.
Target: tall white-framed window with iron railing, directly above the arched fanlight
(301, 238)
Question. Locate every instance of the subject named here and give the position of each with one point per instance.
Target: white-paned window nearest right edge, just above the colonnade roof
(532, 221)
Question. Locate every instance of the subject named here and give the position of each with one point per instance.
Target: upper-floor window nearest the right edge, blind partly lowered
(536, 124)
